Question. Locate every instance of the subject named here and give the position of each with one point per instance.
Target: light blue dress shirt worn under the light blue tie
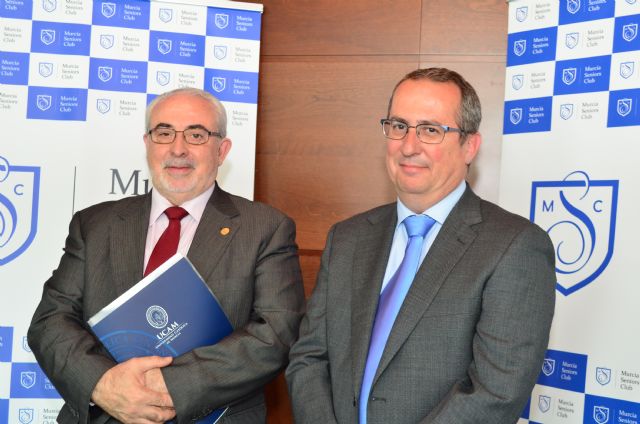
(440, 211)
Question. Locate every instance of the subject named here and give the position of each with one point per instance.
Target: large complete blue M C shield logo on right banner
(579, 215)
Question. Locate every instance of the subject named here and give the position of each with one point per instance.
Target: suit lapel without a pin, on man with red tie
(127, 241)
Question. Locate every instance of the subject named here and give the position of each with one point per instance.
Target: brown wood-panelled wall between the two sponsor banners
(327, 70)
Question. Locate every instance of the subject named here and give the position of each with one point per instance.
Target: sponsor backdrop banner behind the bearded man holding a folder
(75, 78)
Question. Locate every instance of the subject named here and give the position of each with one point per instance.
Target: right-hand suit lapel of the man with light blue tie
(454, 238)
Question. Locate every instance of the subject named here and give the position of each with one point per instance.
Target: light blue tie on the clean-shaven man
(390, 302)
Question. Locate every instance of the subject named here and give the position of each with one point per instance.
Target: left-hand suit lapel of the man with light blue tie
(370, 261)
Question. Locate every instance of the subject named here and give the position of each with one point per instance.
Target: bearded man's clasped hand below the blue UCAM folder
(123, 392)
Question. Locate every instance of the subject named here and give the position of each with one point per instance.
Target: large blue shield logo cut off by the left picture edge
(19, 193)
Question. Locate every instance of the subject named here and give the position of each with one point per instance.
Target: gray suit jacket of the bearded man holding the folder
(253, 271)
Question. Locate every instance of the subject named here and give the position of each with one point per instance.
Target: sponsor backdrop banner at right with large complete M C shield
(571, 133)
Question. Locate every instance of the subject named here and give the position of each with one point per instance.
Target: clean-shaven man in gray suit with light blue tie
(468, 339)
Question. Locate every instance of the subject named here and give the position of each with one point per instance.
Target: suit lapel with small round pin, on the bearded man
(218, 225)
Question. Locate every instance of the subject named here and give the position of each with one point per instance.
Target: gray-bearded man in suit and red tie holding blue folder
(244, 250)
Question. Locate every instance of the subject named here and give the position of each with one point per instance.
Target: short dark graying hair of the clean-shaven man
(469, 113)
